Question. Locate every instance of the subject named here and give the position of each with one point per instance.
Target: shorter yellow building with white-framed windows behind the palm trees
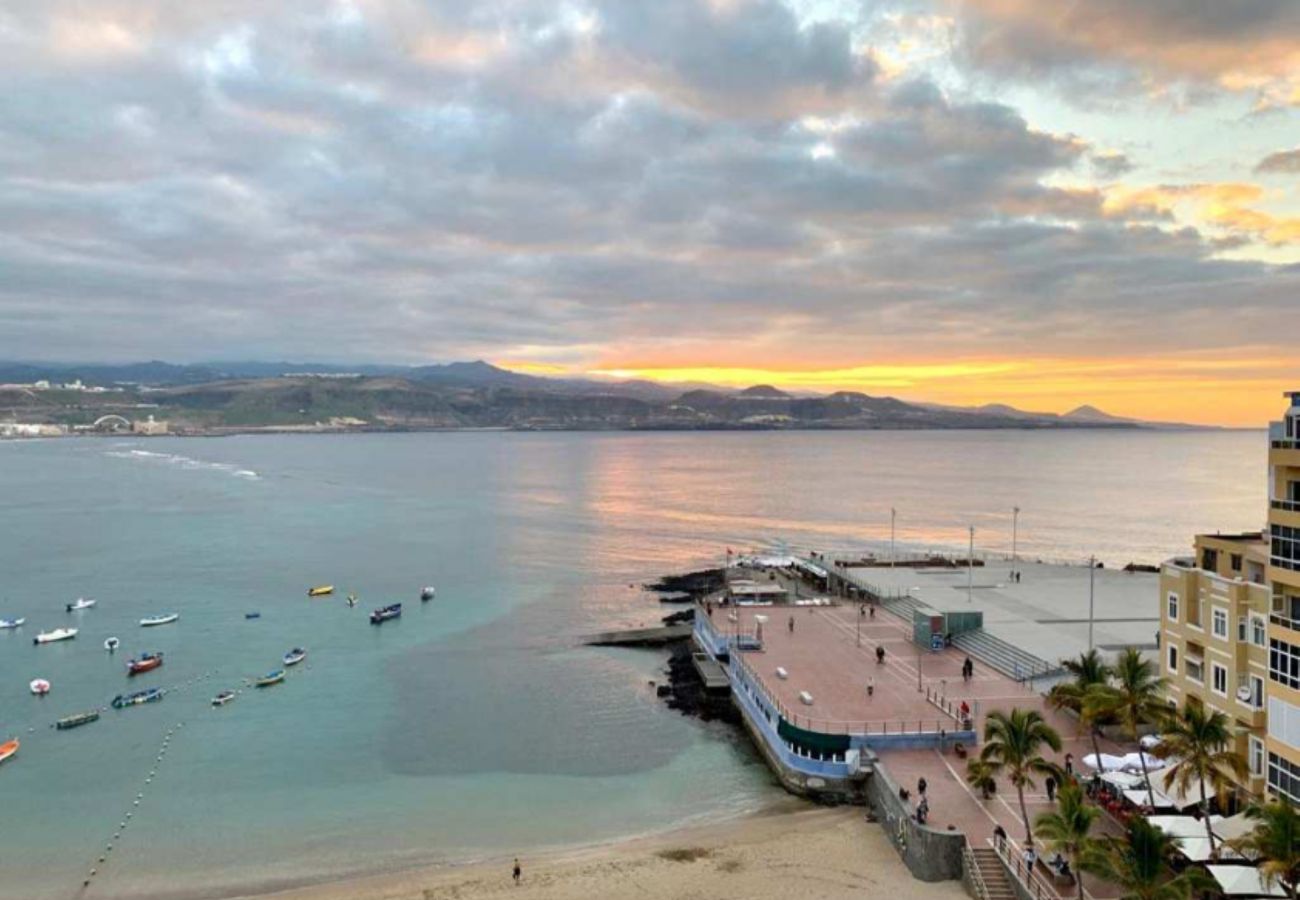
(1214, 635)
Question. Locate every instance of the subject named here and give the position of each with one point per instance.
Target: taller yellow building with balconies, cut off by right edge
(1284, 574)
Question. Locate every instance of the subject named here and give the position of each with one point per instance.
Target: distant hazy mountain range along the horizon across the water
(223, 396)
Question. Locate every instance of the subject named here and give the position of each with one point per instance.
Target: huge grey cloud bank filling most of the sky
(406, 181)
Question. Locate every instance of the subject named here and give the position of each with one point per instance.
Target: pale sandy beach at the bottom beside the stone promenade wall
(798, 853)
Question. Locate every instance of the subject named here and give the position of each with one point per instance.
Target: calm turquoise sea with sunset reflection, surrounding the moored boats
(476, 725)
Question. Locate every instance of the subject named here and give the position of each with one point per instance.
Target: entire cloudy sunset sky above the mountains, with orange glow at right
(952, 201)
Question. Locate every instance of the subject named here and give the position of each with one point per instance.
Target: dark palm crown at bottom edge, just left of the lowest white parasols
(1138, 864)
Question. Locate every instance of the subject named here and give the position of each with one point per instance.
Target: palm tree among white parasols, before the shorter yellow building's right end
(1199, 741)
